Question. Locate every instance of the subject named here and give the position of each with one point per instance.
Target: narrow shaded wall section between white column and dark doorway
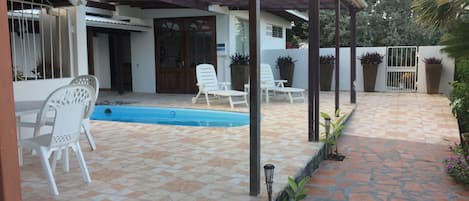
(101, 59)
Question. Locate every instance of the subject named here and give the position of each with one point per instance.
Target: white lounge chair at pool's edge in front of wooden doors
(208, 85)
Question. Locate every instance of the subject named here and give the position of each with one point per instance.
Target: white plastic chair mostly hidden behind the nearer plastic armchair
(91, 81)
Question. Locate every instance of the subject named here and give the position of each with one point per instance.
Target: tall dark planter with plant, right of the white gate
(432, 74)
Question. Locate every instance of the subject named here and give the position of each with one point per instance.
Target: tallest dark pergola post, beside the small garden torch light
(254, 99)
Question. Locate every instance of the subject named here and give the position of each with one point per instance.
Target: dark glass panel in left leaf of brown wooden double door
(170, 43)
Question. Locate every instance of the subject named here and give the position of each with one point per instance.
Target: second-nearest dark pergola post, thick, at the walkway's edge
(313, 71)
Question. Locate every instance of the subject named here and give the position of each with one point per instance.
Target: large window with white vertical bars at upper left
(39, 39)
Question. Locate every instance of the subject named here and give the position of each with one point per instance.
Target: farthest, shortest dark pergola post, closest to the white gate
(353, 56)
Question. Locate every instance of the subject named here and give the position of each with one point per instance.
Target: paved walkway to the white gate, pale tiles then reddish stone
(395, 145)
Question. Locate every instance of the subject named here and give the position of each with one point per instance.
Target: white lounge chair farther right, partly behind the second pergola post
(268, 83)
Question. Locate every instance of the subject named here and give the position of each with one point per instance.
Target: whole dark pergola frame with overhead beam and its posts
(9, 169)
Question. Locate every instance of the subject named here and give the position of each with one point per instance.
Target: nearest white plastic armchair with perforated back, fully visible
(69, 105)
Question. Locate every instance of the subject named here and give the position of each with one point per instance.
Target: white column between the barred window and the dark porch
(78, 39)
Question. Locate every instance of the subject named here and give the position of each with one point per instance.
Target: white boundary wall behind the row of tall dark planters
(301, 74)
